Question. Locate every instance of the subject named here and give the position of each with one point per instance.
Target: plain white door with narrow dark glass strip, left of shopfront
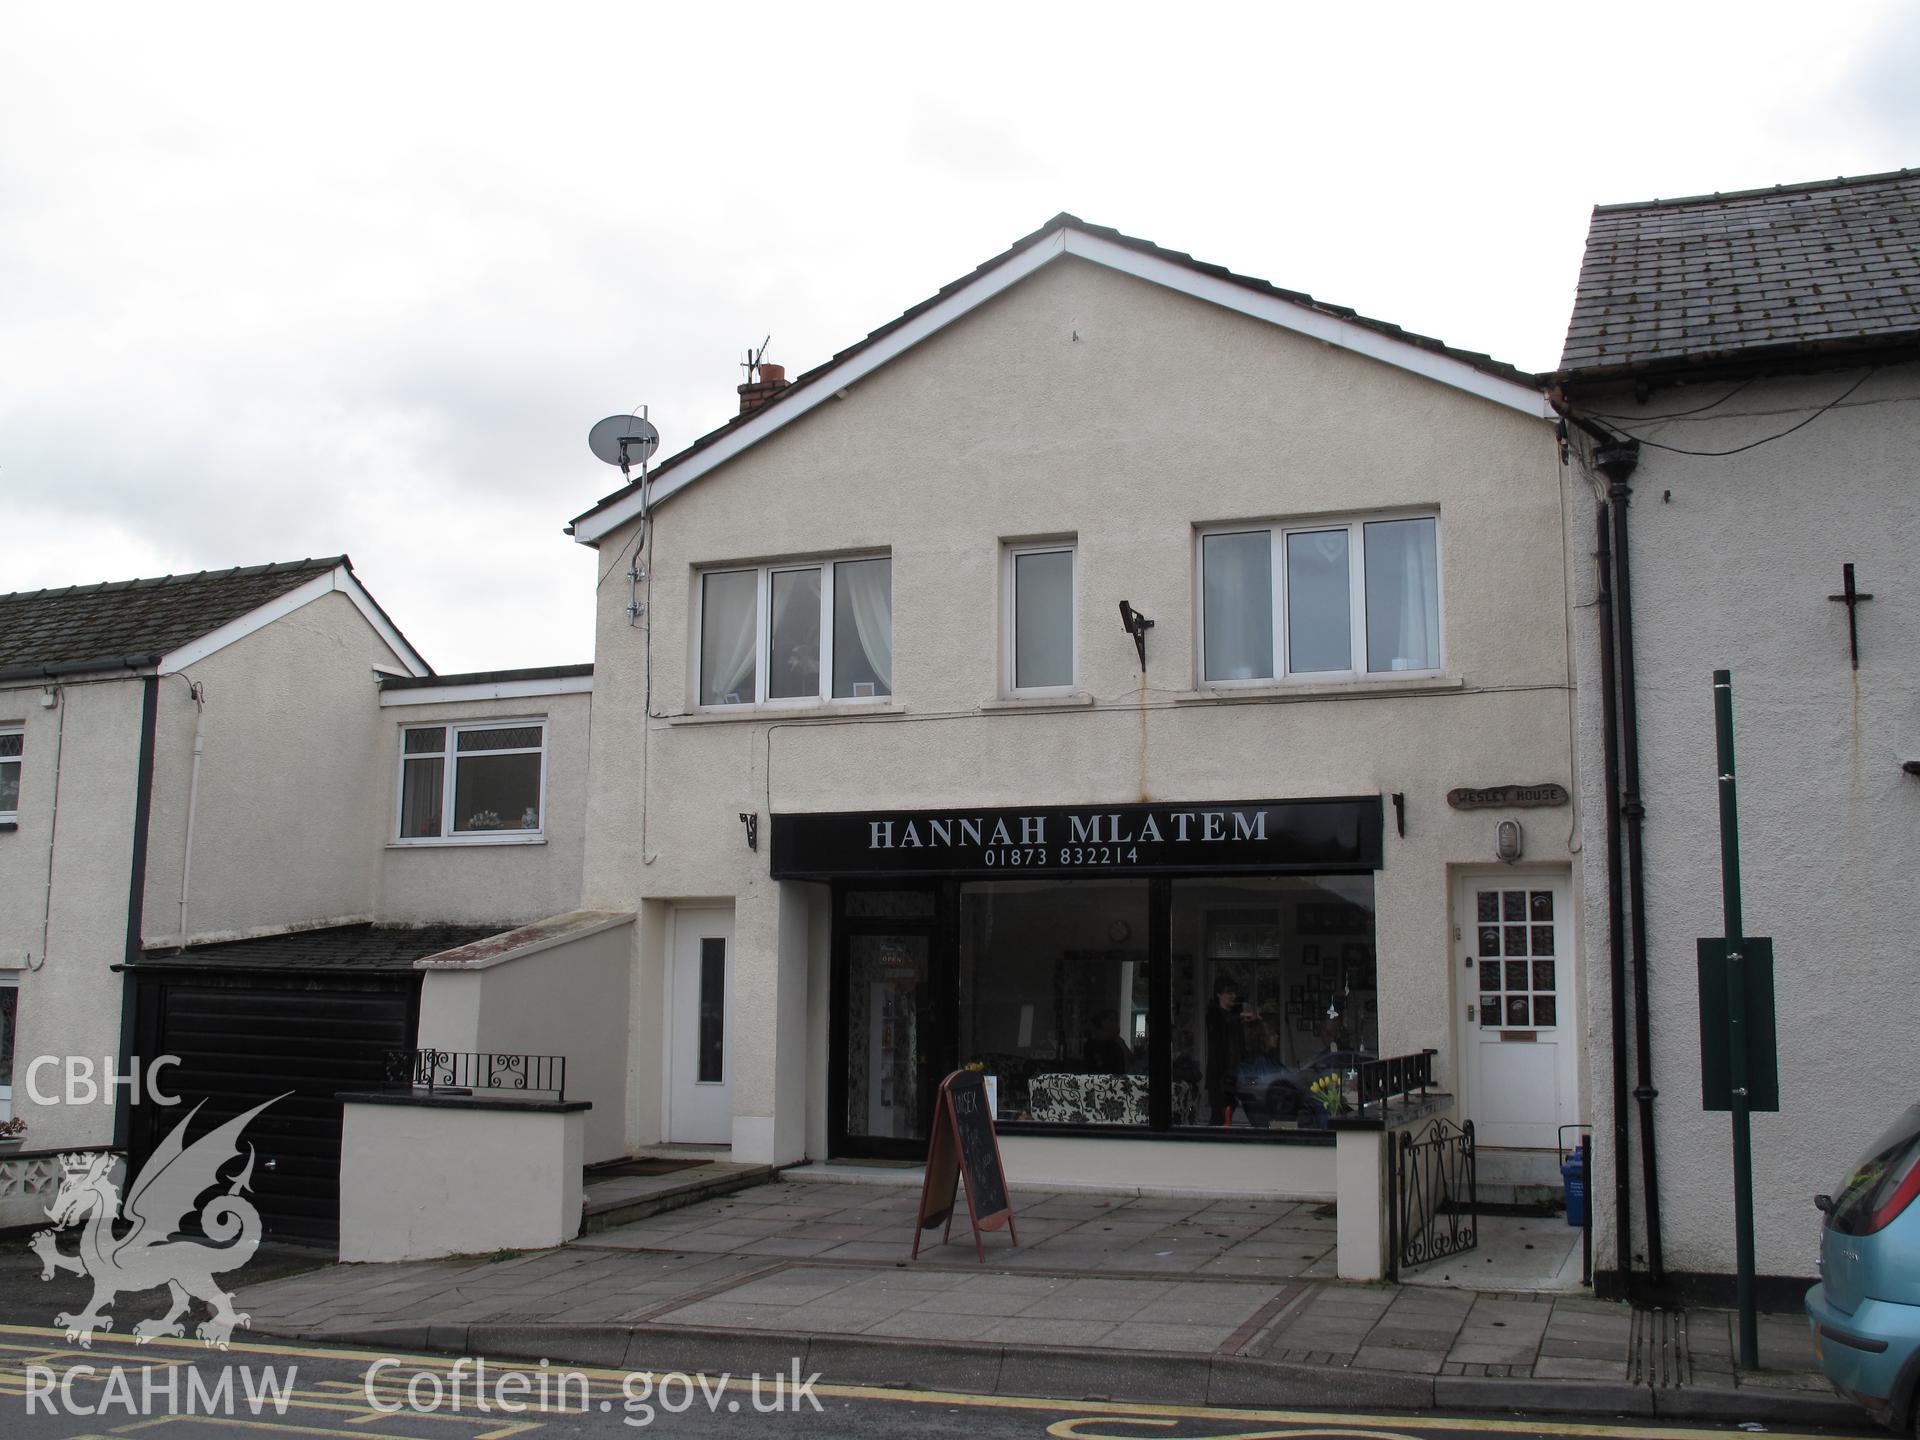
(700, 1007)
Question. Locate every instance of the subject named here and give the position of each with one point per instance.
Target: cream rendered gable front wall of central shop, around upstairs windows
(1099, 406)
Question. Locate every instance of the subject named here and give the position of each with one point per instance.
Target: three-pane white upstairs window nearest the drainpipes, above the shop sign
(1320, 600)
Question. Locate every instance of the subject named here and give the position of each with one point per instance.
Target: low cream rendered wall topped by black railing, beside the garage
(427, 1182)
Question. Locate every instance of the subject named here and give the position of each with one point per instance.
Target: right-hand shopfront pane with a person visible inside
(1274, 992)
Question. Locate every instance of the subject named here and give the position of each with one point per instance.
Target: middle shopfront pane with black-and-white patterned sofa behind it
(1055, 999)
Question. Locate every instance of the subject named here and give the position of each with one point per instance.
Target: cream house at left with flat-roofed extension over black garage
(237, 813)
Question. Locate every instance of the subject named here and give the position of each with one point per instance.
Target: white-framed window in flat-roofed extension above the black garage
(473, 782)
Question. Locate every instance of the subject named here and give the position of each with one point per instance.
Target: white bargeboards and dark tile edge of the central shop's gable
(1068, 235)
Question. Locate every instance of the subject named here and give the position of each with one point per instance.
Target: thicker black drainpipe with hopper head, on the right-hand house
(1618, 462)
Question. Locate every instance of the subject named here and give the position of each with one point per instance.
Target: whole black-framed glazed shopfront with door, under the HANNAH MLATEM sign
(1128, 1005)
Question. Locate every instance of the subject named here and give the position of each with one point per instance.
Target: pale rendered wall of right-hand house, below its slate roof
(1733, 573)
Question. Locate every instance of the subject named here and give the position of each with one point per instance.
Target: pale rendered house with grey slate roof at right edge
(1742, 391)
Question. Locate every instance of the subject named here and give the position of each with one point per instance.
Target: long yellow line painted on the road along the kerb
(1090, 1410)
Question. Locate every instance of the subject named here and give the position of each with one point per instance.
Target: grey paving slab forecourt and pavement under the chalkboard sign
(1141, 1303)
